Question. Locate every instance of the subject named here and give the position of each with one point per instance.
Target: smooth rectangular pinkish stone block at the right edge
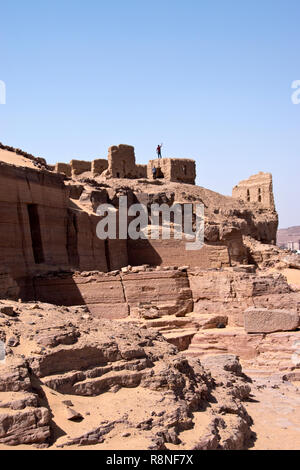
(262, 320)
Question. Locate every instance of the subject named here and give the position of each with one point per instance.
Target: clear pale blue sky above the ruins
(210, 79)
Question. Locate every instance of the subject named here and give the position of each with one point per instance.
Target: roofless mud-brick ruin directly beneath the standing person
(178, 170)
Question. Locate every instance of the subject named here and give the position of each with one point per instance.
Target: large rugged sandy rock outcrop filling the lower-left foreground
(68, 353)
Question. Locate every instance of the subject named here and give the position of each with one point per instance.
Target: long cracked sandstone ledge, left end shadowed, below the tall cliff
(120, 294)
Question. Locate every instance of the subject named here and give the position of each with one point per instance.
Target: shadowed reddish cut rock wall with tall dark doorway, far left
(33, 208)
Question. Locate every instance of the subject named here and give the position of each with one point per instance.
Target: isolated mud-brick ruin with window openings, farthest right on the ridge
(258, 189)
